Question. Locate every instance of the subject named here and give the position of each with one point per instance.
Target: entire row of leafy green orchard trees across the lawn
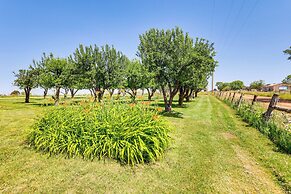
(169, 60)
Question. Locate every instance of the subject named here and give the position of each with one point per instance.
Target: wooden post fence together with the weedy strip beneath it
(276, 126)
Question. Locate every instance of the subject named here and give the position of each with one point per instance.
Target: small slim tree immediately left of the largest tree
(135, 78)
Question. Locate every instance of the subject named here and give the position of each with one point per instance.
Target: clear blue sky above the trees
(249, 35)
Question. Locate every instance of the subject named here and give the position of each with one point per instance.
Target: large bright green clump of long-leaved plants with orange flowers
(129, 133)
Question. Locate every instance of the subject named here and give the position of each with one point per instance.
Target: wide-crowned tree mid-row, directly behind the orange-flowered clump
(99, 69)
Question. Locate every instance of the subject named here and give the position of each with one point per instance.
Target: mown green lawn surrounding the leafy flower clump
(212, 151)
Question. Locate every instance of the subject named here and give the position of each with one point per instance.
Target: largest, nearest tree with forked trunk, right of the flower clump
(168, 54)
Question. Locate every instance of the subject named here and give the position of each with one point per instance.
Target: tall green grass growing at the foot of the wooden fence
(276, 132)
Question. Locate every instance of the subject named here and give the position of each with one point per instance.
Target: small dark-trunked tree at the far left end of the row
(26, 79)
